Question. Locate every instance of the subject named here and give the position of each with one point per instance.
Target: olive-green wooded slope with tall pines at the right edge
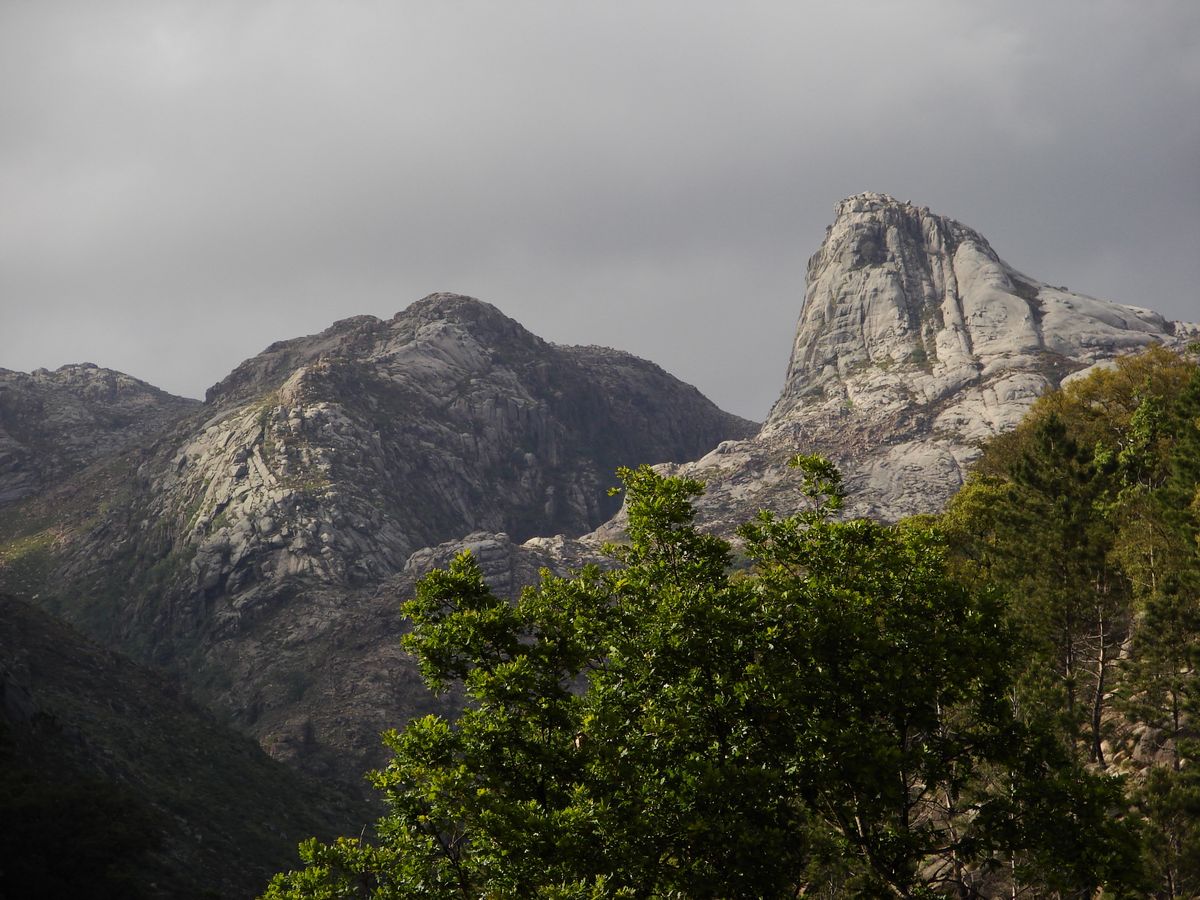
(1089, 518)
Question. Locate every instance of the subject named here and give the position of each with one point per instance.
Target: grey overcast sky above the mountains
(184, 183)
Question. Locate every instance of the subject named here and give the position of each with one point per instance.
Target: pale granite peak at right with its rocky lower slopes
(915, 344)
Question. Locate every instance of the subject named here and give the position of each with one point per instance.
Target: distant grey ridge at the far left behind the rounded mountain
(53, 424)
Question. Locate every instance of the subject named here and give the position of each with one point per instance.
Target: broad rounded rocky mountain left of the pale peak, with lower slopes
(256, 543)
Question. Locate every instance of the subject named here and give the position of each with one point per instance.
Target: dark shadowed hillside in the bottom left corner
(115, 784)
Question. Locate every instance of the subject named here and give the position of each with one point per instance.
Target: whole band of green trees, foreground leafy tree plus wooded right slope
(998, 703)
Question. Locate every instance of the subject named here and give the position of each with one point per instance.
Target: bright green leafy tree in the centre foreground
(835, 722)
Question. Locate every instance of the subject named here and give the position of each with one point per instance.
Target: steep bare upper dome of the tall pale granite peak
(905, 310)
